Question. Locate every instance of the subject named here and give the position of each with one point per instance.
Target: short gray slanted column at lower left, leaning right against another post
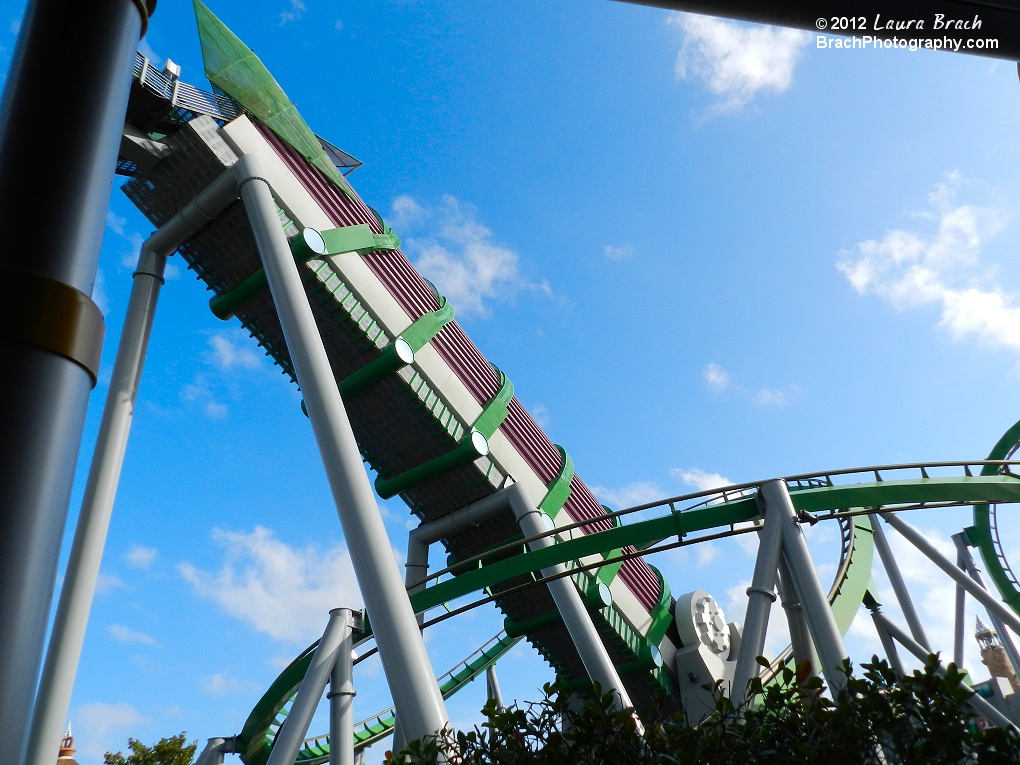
(292, 735)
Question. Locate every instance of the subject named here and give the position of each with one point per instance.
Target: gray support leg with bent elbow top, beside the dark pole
(105, 475)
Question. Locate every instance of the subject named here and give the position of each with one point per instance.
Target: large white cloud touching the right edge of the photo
(942, 269)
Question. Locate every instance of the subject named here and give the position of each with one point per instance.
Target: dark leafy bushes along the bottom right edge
(883, 720)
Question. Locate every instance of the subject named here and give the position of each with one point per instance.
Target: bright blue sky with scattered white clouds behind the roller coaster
(699, 249)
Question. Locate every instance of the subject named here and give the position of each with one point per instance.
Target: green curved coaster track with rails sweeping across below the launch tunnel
(840, 495)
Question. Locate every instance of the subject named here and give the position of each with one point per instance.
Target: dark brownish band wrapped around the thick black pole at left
(46, 314)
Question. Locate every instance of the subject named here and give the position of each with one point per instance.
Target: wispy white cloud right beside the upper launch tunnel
(461, 258)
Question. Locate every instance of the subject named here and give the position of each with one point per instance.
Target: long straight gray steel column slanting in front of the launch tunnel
(417, 695)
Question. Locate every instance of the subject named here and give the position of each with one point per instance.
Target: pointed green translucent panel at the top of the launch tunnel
(234, 69)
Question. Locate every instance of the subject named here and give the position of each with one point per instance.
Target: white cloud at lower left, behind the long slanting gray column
(283, 592)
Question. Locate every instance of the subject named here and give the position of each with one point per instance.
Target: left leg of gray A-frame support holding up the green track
(761, 596)
